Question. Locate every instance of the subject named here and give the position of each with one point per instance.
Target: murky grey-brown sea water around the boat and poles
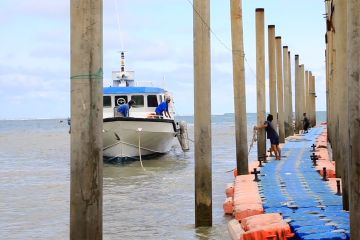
(154, 204)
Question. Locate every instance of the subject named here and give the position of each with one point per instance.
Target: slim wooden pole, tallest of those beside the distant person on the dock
(298, 99)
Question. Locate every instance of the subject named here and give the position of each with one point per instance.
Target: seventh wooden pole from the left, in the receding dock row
(287, 98)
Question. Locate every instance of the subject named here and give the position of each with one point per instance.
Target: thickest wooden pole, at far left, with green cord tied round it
(86, 120)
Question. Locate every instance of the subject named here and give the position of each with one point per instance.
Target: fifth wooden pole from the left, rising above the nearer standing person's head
(272, 73)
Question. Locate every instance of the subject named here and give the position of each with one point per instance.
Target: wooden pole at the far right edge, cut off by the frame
(353, 14)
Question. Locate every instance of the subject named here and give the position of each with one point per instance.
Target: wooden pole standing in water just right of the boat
(202, 106)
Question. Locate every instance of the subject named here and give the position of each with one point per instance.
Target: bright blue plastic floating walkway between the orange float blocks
(294, 188)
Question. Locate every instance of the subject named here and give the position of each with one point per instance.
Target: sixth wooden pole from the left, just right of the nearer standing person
(280, 89)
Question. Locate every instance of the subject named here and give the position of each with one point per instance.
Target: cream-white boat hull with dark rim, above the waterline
(123, 136)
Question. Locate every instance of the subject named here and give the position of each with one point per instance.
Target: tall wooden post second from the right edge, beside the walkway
(341, 74)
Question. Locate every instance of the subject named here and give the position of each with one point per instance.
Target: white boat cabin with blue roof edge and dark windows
(146, 100)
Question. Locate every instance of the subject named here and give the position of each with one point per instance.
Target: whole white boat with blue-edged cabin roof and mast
(142, 133)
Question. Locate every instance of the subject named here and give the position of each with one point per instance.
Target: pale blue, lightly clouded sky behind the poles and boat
(157, 36)
